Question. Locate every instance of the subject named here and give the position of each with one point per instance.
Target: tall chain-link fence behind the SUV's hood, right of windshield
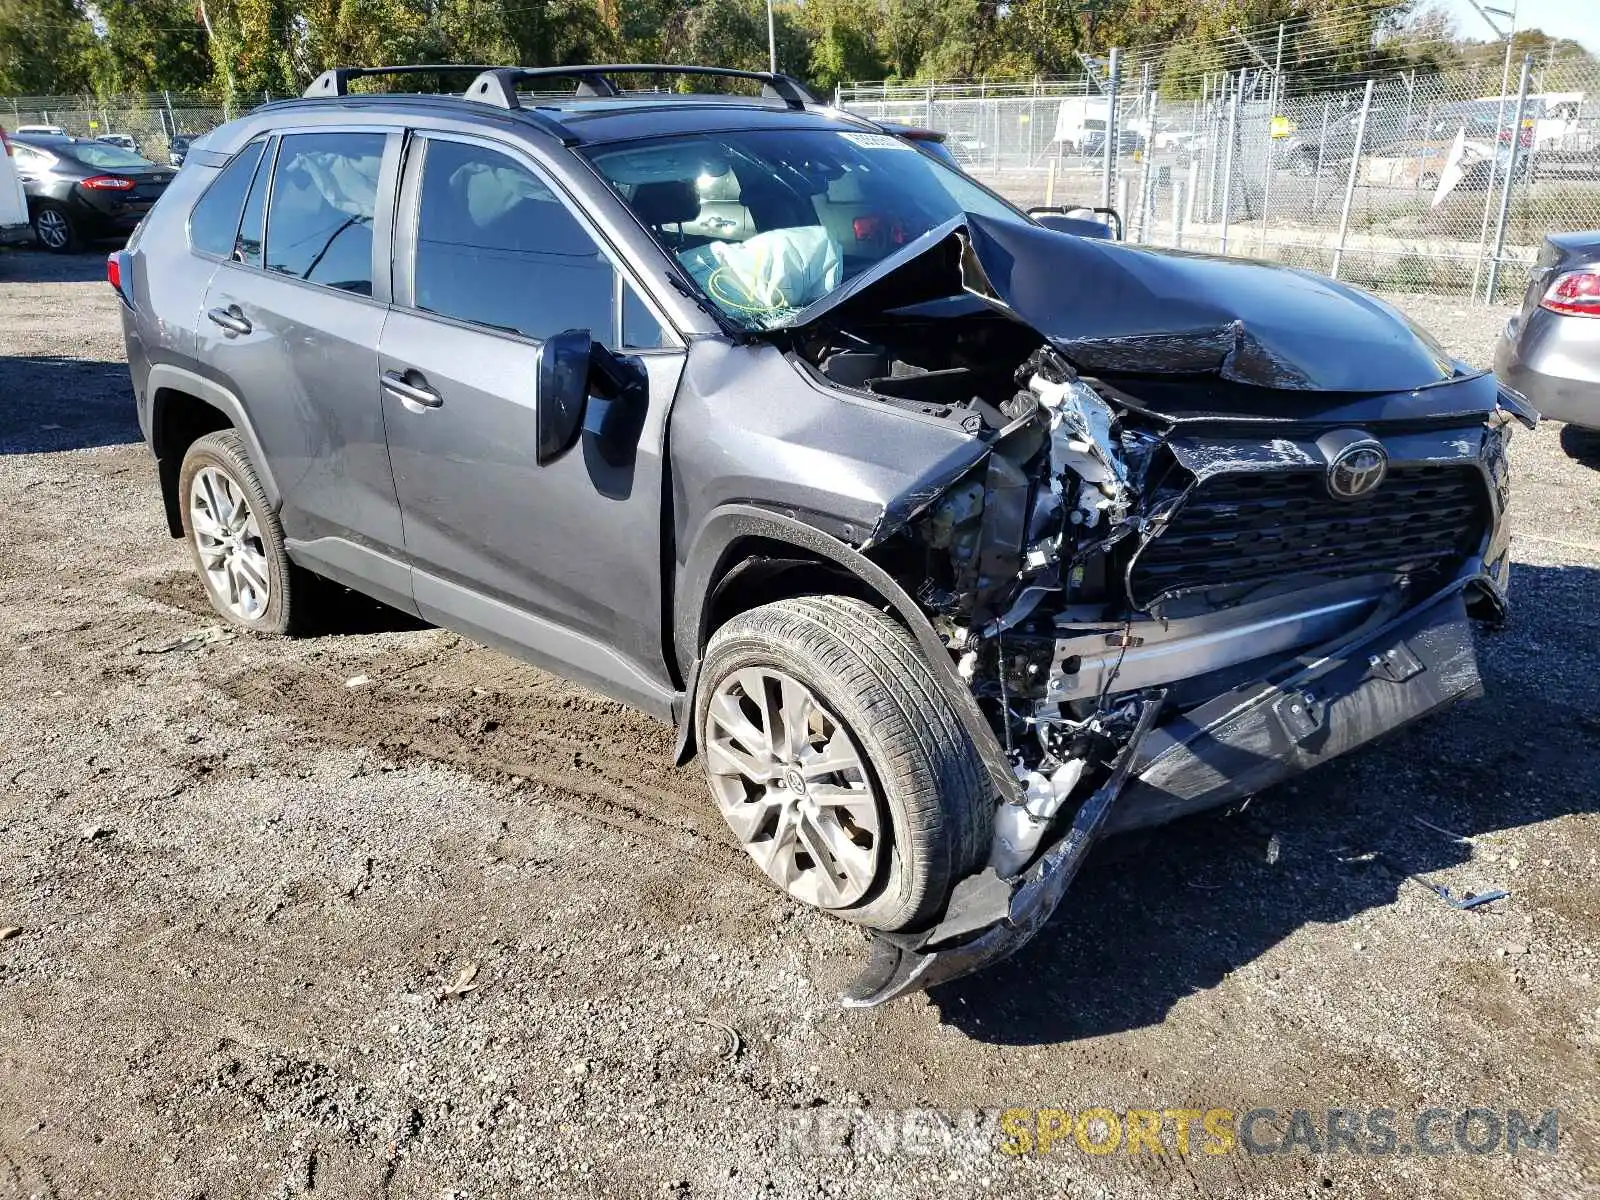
(1409, 183)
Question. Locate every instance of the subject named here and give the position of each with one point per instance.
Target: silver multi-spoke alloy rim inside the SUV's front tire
(793, 786)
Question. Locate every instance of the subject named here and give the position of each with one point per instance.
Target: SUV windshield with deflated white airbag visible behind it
(770, 222)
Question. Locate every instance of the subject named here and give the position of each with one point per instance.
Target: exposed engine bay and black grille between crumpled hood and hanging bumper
(1060, 575)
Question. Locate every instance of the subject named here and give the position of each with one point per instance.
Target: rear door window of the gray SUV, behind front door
(321, 214)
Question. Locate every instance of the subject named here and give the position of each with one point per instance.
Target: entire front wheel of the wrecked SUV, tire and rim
(839, 762)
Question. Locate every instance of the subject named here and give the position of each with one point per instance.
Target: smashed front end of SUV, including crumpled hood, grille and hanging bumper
(1223, 522)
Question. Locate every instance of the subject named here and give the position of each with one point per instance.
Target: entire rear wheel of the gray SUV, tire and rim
(236, 540)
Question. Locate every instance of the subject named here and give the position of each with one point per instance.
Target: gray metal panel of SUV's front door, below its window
(577, 542)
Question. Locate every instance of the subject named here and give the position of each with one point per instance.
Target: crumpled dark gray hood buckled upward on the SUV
(1116, 310)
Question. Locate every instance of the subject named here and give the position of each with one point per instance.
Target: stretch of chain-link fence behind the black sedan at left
(151, 119)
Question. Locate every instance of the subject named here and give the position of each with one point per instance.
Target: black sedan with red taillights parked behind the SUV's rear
(82, 190)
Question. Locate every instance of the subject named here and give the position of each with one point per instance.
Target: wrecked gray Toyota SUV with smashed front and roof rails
(948, 540)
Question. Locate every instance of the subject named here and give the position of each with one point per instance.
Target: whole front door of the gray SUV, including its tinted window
(569, 556)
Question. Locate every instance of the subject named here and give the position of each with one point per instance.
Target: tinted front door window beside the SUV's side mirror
(495, 247)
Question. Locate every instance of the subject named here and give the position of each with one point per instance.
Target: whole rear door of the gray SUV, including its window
(305, 356)
